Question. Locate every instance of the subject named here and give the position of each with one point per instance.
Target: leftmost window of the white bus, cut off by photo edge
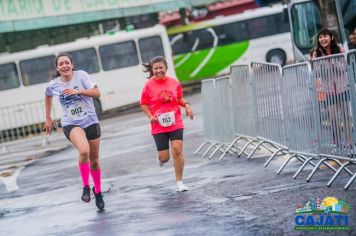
(8, 76)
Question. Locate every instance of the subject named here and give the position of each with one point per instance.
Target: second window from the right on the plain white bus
(118, 55)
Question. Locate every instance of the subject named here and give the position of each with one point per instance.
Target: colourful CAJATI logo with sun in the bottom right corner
(329, 213)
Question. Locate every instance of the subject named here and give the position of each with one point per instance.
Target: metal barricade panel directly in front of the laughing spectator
(334, 105)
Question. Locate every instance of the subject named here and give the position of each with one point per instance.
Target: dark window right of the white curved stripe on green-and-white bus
(231, 33)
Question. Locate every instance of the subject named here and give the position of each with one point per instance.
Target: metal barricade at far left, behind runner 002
(24, 120)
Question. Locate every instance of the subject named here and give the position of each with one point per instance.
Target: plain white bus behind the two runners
(114, 61)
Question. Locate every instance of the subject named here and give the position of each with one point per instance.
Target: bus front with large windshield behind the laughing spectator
(305, 19)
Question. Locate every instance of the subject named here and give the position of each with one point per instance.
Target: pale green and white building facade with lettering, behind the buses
(26, 24)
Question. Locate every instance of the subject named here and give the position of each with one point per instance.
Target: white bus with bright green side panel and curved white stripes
(208, 48)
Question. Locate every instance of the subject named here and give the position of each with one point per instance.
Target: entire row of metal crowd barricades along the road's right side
(308, 112)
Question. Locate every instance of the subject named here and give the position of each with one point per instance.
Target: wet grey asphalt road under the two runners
(234, 196)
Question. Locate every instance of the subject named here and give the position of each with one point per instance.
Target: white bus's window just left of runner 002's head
(37, 70)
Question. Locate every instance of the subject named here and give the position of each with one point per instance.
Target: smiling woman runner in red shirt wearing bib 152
(161, 99)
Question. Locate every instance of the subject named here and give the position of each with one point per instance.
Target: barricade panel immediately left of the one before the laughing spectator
(298, 94)
